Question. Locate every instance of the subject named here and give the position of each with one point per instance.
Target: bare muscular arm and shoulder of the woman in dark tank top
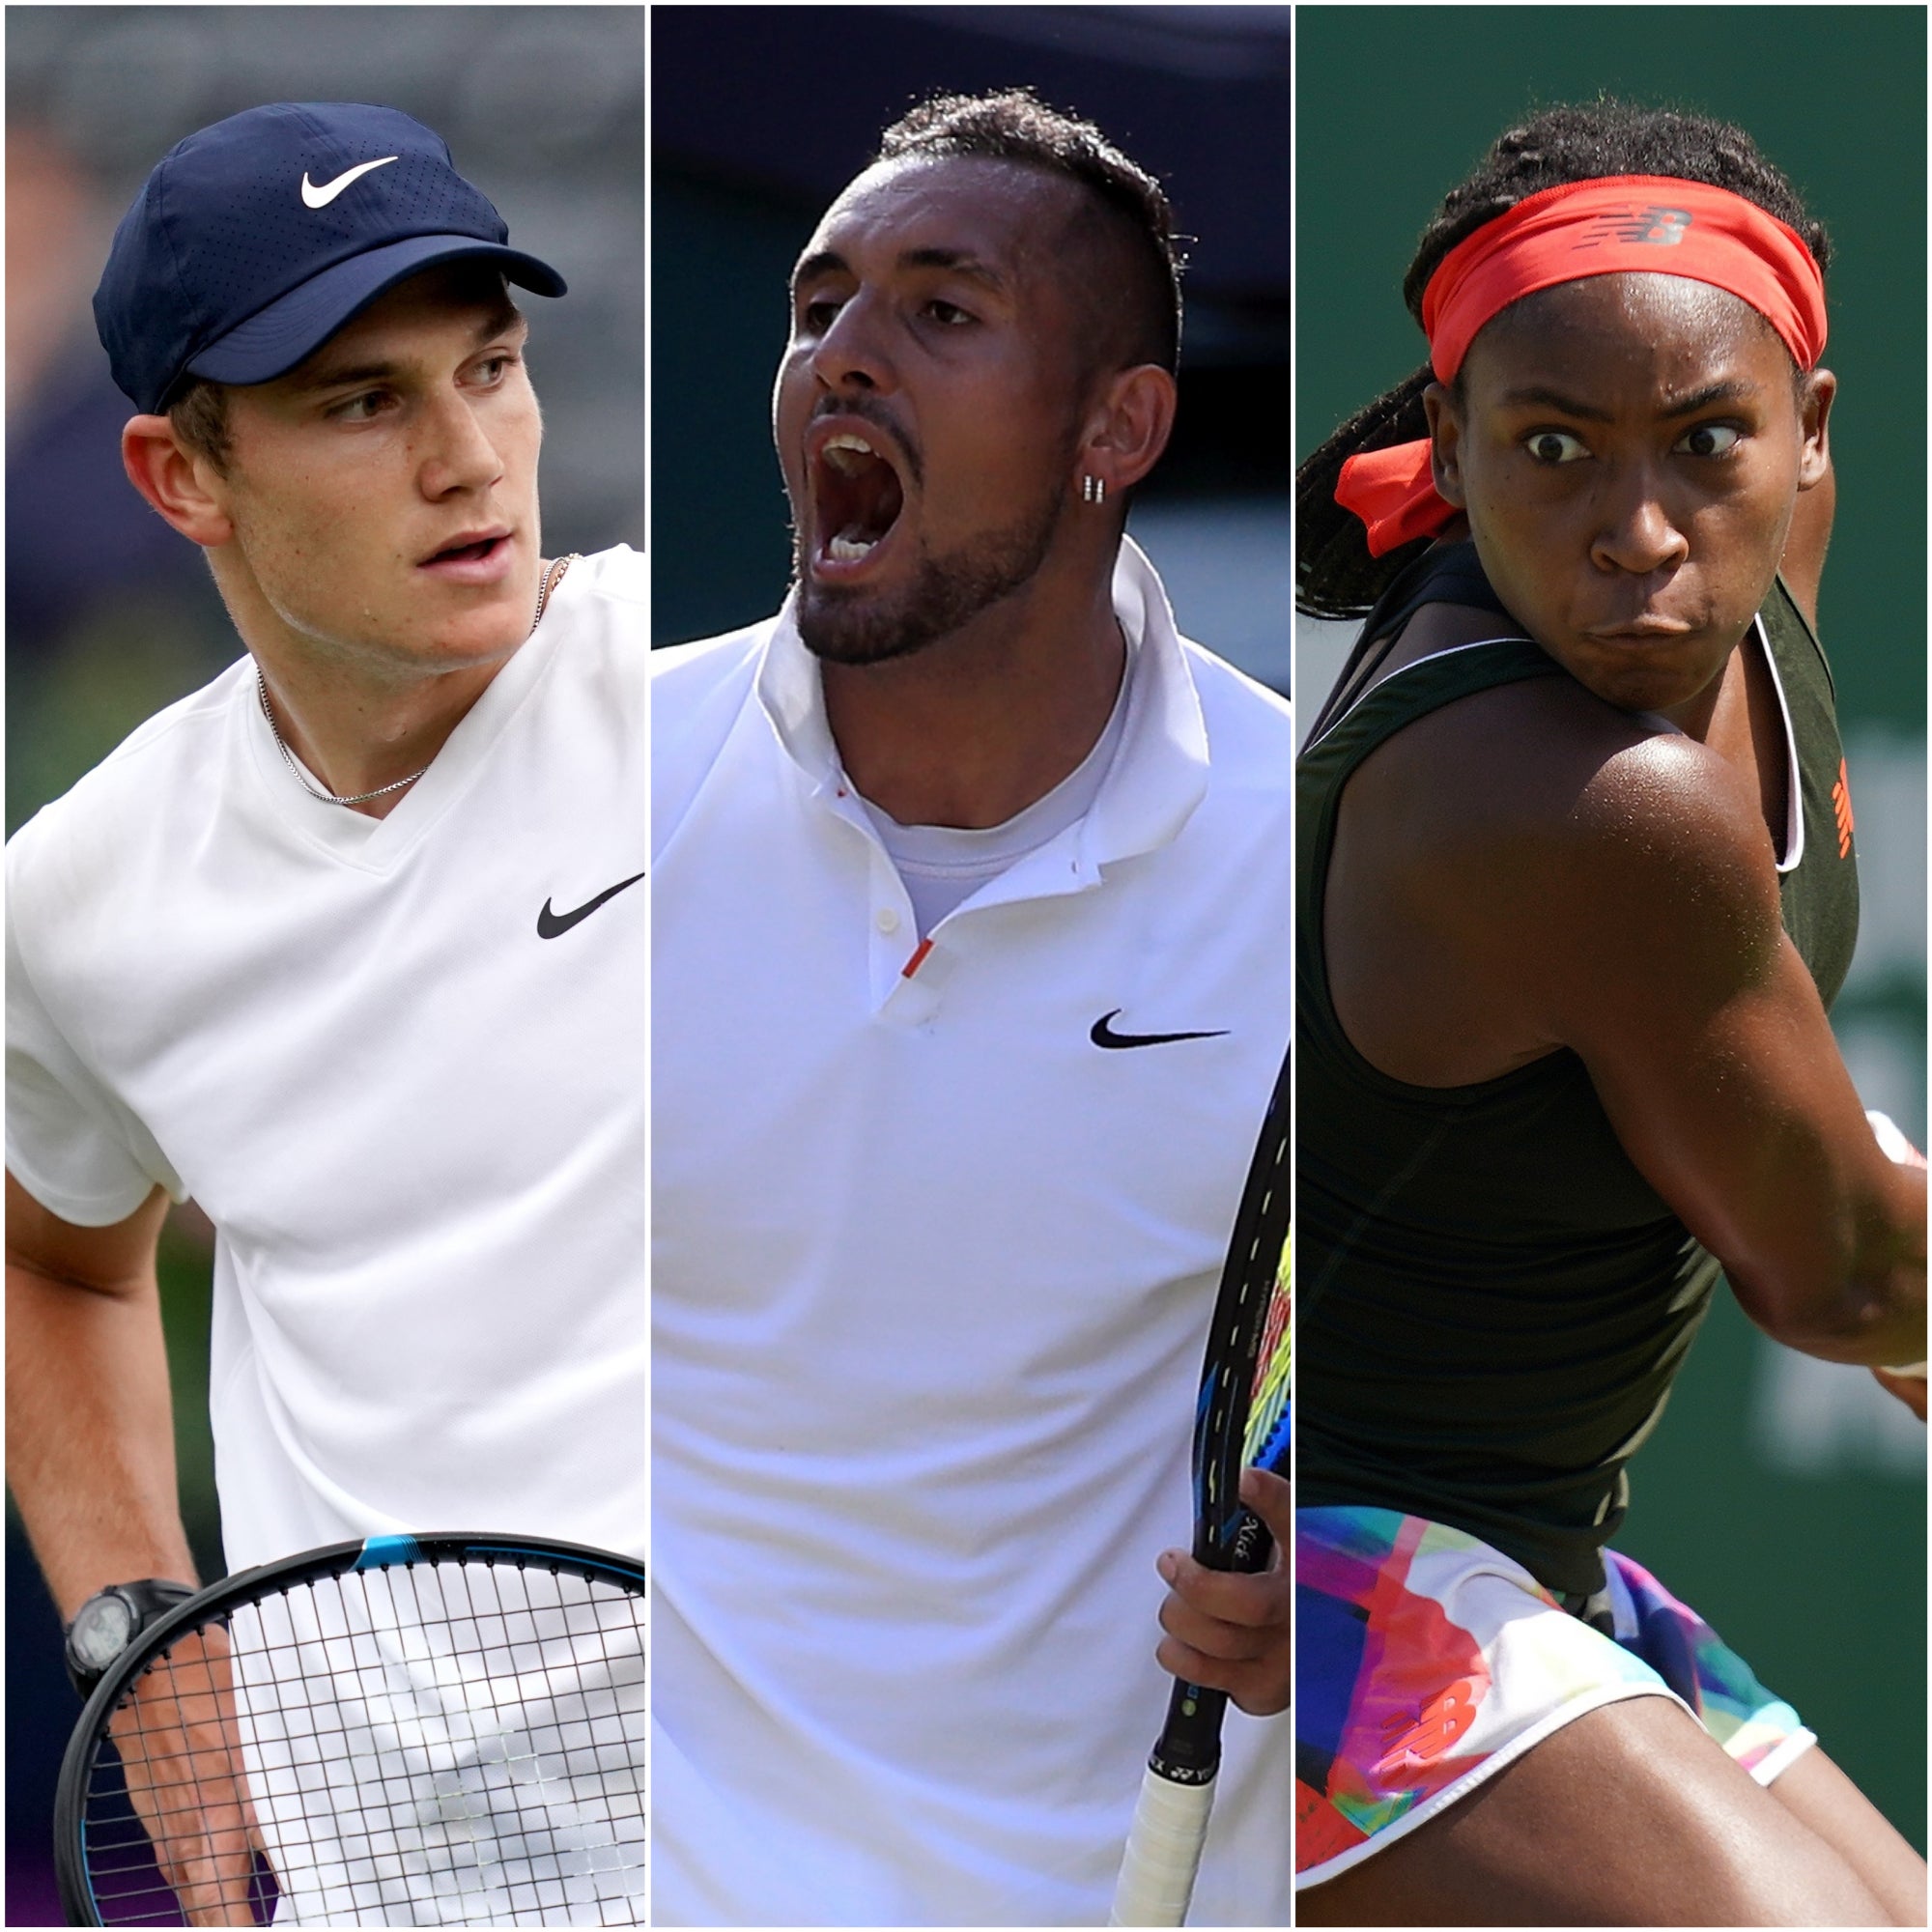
(1649, 940)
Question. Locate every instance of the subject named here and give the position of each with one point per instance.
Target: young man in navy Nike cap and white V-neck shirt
(345, 950)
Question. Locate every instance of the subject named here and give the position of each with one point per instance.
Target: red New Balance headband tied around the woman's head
(1618, 225)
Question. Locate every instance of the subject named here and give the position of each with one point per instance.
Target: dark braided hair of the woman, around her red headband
(1334, 573)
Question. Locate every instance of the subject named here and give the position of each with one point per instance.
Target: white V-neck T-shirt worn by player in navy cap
(416, 1123)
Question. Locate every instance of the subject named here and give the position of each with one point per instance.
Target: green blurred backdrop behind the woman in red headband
(1782, 1496)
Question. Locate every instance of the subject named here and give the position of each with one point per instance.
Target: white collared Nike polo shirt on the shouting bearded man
(932, 1272)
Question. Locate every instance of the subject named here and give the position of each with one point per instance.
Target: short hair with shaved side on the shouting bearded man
(1133, 225)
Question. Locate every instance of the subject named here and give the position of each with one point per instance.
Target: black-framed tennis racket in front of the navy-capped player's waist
(411, 1730)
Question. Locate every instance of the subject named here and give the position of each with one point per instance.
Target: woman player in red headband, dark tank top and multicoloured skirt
(1576, 890)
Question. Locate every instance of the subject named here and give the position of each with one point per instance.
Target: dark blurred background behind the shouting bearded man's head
(762, 115)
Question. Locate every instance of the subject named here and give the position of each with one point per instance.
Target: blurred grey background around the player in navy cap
(109, 615)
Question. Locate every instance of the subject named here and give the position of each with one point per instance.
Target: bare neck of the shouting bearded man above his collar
(984, 724)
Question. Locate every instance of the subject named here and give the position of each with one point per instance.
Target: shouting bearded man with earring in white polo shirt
(971, 984)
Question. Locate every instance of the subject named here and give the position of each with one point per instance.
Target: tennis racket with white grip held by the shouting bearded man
(1241, 1419)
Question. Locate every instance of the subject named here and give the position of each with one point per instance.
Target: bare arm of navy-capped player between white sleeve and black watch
(90, 1433)
